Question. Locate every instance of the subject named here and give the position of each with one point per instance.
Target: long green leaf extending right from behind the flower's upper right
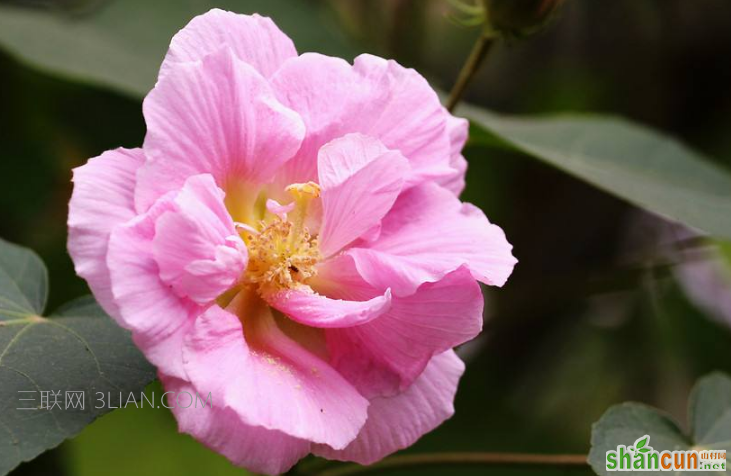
(633, 162)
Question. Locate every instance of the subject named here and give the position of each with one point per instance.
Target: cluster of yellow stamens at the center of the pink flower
(282, 253)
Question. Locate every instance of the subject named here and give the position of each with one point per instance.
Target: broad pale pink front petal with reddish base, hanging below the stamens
(268, 379)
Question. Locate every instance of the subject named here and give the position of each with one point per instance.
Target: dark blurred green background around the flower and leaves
(586, 321)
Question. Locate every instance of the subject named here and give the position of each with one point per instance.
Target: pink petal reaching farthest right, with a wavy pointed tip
(429, 233)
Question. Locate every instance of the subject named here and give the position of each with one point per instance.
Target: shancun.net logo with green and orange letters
(641, 457)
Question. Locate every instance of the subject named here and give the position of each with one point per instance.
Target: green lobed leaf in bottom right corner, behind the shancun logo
(710, 419)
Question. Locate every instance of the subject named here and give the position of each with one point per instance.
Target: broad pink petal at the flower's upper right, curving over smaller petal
(375, 97)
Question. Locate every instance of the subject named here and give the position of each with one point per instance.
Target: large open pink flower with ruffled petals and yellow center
(289, 239)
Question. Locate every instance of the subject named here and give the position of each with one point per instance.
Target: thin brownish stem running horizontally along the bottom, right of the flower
(419, 461)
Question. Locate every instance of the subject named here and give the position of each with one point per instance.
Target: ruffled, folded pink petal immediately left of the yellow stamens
(168, 263)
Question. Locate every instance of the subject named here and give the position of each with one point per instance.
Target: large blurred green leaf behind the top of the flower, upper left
(122, 43)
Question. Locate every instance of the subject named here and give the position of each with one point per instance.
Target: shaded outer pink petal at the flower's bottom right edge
(397, 422)
